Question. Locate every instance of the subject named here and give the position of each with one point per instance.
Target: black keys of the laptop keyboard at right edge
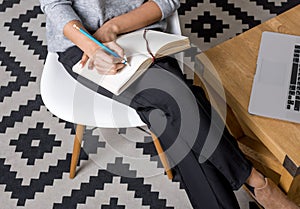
(293, 102)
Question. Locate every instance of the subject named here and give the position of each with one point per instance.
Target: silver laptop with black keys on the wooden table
(276, 86)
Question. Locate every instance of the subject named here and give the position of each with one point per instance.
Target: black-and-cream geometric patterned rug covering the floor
(36, 146)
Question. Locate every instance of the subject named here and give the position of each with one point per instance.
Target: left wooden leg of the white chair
(76, 149)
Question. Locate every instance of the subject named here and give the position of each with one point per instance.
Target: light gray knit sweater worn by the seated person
(92, 14)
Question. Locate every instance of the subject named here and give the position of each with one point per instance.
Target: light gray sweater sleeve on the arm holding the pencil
(59, 12)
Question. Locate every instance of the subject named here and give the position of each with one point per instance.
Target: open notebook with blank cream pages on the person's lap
(135, 47)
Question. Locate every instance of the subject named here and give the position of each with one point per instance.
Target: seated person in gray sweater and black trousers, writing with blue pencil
(209, 184)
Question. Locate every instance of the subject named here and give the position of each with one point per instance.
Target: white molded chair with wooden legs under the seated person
(69, 100)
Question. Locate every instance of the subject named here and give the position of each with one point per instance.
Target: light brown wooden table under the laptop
(272, 145)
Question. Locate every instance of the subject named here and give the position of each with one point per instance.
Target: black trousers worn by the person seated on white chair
(181, 116)
